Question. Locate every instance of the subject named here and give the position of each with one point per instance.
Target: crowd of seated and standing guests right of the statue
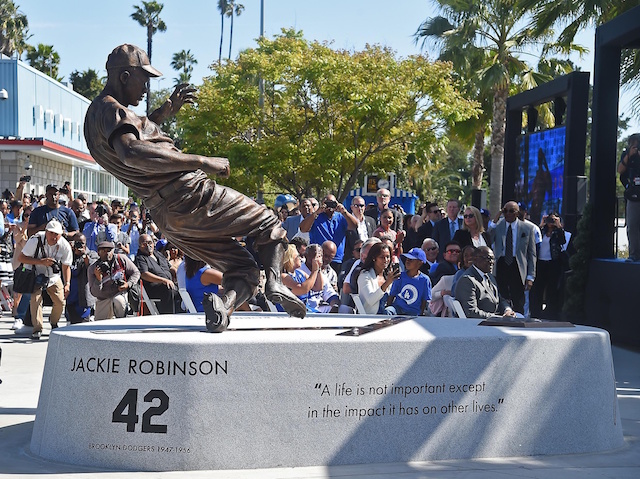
(407, 264)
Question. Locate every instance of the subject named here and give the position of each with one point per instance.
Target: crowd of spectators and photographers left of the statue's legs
(91, 259)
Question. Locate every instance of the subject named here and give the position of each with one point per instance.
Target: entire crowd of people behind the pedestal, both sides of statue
(92, 258)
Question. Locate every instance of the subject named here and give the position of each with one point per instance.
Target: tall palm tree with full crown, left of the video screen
(500, 30)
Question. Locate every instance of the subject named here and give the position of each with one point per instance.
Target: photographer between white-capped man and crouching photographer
(80, 301)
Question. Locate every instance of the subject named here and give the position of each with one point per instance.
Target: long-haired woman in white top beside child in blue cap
(376, 277)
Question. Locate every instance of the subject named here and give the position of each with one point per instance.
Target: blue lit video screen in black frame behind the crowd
(540, 175)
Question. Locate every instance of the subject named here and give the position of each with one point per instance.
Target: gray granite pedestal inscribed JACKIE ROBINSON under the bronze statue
(160, 393)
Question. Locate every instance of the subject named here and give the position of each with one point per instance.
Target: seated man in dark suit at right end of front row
(477, 290)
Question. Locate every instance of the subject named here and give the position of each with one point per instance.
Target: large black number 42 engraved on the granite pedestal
(129, 403)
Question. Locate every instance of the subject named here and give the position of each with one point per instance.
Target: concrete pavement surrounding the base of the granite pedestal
(21, 372)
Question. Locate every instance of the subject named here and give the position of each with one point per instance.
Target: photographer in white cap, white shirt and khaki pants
(52, 262)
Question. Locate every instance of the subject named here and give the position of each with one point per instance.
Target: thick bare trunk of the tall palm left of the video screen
(497, 148)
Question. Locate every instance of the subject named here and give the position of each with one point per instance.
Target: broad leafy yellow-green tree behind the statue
(328, 115)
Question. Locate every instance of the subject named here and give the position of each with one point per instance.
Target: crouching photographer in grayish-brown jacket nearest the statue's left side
(110, 279)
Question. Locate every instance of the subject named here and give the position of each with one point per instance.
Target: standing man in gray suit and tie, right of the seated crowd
(514, 245)
